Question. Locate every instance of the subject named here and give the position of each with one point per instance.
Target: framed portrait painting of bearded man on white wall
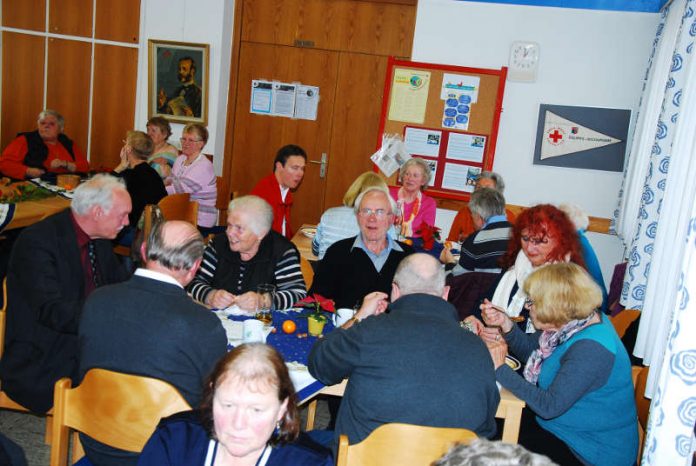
(178, 81)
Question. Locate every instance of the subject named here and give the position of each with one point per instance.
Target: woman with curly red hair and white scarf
(542, 235)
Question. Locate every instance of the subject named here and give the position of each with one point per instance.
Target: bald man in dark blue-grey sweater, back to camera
(409, 362)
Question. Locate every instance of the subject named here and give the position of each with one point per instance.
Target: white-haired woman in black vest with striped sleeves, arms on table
(248, 254)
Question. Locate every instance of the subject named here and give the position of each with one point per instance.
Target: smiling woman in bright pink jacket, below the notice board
(415, 206)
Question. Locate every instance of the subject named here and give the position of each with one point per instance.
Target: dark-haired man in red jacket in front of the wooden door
(288, 171)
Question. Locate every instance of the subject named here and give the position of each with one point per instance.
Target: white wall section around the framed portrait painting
(199, 21)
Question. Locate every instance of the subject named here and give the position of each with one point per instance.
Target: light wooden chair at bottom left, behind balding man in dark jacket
(119, 410)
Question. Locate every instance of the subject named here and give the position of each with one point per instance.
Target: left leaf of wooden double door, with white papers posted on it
(257, 138)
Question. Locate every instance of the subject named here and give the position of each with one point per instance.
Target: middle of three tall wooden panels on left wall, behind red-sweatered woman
(68, 85)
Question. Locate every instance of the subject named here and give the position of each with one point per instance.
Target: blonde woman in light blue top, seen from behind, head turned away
(339, 223)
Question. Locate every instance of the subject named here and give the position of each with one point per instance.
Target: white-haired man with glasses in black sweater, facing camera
(356, 266)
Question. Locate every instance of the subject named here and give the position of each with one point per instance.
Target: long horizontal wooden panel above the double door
(374, 27)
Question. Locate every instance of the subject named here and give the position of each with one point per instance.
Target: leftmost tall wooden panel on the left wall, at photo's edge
(22, 83)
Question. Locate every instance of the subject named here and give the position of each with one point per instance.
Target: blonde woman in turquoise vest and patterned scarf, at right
(577, 379)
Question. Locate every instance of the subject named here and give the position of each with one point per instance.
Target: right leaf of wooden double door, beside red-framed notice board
(360, 84)
